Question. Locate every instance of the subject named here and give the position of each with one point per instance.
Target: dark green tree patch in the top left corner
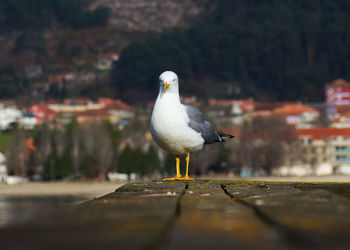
(42, 14)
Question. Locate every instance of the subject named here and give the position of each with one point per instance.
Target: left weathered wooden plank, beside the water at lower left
(136, 216)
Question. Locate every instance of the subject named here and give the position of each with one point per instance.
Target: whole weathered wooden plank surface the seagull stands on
(202, 214)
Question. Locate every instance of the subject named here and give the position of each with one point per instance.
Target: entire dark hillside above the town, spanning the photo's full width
(270, 50)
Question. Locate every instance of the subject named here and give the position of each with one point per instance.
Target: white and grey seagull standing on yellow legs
(177, 128)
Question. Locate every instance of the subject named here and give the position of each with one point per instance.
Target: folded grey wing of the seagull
(200, 124)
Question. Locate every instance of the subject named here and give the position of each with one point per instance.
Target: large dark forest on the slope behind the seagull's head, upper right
(272, 49)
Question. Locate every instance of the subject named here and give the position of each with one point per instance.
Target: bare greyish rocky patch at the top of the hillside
(153, 15)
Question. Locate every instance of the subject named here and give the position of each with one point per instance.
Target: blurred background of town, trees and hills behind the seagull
(78, 80)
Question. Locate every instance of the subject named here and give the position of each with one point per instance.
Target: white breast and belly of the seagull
(169, 127)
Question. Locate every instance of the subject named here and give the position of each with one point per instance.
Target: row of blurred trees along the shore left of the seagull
(71, 151)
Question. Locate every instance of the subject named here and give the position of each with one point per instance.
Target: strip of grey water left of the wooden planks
(16, 209)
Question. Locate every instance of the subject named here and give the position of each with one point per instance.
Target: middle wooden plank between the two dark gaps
(210, 219)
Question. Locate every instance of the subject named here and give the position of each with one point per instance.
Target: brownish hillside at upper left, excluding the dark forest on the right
(68, 36)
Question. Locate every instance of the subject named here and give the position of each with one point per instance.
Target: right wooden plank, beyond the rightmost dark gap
(314, 217)
